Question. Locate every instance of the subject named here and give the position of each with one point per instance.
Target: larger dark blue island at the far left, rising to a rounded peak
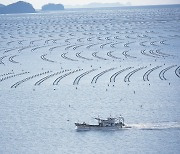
(18, 7)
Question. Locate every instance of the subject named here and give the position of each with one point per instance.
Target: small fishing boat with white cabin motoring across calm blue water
(111, 123)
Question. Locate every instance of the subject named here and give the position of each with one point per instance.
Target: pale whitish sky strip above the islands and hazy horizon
(37, 4)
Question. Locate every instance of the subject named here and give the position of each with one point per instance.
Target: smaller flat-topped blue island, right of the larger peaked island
(52, 7)
